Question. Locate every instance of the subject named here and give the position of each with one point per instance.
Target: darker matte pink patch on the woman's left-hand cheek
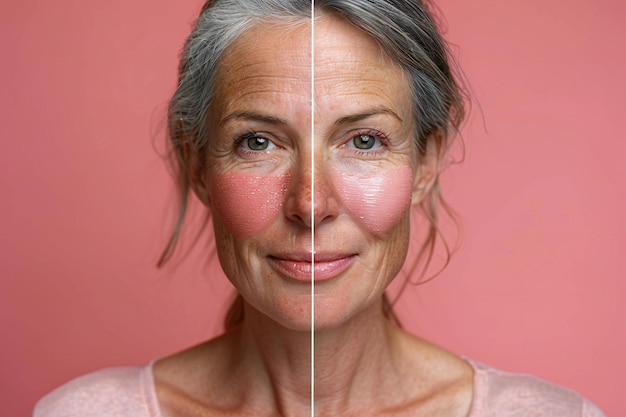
(248, 204)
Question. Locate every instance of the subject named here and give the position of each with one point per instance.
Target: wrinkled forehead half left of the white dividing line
(266, 72)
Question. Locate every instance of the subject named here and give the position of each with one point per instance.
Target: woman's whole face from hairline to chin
(289, 159)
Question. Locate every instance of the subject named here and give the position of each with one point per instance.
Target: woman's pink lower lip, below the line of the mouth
(305, 271)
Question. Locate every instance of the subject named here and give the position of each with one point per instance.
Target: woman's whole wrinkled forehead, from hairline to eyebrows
(275, 64)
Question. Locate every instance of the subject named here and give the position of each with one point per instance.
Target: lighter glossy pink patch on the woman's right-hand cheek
(376, 200)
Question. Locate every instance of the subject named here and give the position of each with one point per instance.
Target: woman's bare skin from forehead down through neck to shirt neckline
(258, 187)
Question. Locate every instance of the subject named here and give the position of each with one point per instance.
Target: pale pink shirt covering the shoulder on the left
(113, 391)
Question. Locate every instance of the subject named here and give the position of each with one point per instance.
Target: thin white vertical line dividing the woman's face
(312, 208)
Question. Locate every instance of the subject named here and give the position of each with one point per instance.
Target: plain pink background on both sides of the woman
(86, 202)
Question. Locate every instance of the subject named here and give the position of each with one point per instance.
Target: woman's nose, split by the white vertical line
(311, 197)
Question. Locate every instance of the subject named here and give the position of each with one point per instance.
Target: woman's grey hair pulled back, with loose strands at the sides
(406, 33)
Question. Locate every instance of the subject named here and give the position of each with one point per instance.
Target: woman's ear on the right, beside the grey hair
(428, 167)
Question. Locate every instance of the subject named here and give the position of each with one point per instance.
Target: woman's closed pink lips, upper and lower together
(298, 266)
